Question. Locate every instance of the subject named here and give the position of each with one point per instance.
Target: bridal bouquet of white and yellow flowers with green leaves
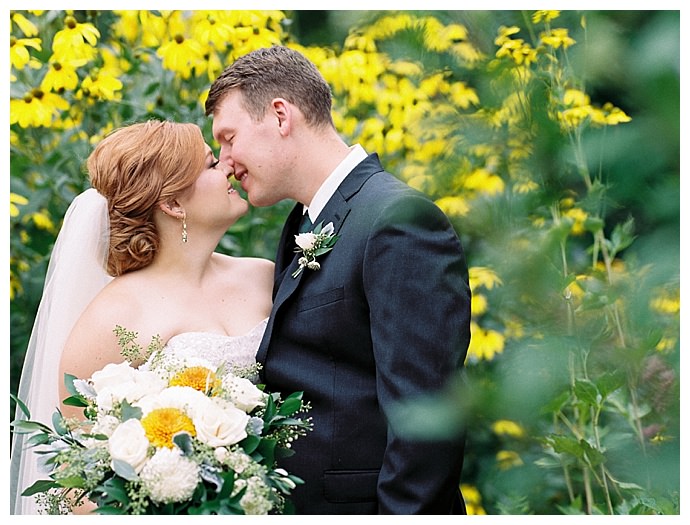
(173, 436)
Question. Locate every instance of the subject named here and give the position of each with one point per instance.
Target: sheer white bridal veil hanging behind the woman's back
(76, 273)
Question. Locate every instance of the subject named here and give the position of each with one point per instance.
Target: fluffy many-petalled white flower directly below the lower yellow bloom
(169, 476)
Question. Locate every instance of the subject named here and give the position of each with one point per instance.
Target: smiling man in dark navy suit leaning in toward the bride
(383, 318)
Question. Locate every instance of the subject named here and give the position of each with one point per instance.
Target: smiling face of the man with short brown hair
(253, 148)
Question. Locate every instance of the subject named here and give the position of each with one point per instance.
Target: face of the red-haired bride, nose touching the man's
(212, 199)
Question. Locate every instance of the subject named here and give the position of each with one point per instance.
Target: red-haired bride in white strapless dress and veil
(137, 250)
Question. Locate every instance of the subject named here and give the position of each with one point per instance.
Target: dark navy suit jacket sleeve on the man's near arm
(415, 280)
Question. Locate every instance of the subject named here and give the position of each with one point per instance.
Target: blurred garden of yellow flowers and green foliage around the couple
(550, 139)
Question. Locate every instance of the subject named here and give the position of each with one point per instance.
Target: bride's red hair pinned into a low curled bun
(136, 168)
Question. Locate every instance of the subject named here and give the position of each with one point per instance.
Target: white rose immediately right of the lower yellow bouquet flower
(220, 424)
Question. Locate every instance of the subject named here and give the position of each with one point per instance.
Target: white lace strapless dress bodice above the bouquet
(219, 349)
